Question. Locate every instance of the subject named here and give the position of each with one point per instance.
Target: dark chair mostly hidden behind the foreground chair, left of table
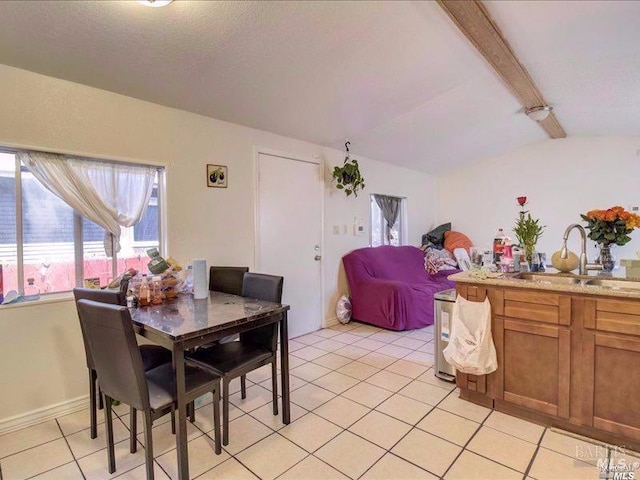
(152, 355)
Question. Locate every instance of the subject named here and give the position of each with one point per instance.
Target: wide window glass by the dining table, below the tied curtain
(46, 246)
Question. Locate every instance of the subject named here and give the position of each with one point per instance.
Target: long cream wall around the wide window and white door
(41, 349)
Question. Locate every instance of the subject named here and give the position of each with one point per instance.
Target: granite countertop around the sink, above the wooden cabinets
(625, 288)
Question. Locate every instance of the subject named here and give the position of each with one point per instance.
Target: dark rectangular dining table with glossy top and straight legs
(185, 323)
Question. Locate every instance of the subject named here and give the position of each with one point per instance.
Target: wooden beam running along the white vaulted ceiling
(473, 20)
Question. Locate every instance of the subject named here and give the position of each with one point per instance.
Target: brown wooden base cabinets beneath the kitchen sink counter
(564, 359)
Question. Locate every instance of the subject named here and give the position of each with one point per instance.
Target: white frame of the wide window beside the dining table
(78, 241)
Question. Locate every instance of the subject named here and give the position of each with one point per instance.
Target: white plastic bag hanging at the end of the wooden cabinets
(471, 348)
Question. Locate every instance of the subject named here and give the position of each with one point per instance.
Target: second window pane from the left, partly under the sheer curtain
(47, 229)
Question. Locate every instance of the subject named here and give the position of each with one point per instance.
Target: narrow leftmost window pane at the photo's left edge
(8, 248)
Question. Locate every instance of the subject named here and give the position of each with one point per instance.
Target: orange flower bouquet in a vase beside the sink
(611, 226)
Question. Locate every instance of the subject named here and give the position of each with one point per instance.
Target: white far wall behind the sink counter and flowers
(561, 178)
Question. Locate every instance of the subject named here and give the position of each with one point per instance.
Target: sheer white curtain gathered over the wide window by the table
(109, 194)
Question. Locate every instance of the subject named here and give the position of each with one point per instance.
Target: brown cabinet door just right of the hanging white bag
(535, 367)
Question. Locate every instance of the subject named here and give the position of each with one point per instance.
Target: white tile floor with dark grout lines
(365, 404)
